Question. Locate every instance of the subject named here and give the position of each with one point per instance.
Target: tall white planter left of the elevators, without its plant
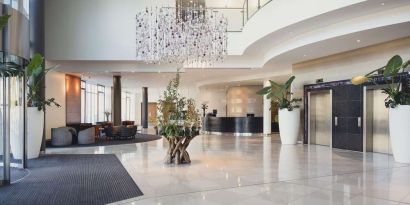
(289, 125)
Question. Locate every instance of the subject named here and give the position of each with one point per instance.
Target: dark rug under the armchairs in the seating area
(139, 138)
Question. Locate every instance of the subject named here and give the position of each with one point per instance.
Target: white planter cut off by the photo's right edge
(399, 128)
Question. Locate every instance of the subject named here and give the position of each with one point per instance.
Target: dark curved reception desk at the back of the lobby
(238, 125)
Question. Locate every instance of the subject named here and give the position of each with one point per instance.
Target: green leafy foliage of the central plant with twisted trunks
(178, 116)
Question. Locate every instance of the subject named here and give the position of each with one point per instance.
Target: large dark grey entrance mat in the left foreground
(72, 179)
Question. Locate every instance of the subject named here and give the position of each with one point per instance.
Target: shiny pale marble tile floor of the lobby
(259, 170)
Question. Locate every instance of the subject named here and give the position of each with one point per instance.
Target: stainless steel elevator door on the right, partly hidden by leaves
(377, 129)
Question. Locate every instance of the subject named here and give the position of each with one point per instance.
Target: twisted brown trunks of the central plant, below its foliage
(177, 152)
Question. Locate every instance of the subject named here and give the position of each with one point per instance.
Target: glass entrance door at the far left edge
(12, 119)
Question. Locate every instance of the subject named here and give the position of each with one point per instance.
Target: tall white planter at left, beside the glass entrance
(35, 124)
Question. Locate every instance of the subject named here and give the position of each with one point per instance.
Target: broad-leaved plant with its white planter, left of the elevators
(289, 111)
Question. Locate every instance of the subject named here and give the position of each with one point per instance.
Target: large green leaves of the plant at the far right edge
(396, 96)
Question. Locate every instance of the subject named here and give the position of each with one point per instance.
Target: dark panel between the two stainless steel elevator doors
(347, 106)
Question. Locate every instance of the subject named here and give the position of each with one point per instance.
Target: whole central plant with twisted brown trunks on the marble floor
(178, 122)
